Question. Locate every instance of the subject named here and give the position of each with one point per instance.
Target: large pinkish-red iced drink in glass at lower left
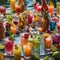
(8, 45)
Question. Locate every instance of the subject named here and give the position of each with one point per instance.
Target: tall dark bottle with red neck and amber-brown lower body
(45, 20)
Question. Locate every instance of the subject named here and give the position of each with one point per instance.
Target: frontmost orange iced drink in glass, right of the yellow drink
(27, 51)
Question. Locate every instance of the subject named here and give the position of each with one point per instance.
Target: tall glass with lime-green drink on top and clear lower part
(35, 40)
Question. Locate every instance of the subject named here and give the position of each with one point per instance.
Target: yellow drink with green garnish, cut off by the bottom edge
(17, 52)
